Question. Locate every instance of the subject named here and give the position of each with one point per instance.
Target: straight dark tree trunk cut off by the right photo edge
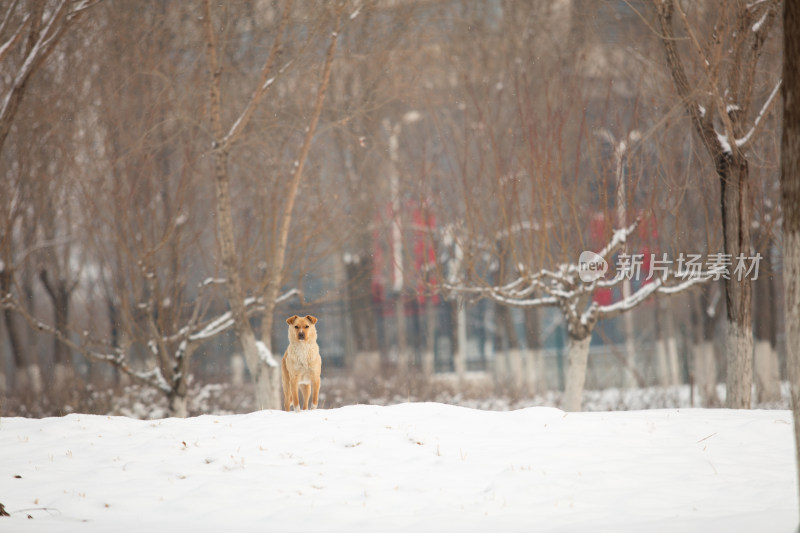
(790, 181)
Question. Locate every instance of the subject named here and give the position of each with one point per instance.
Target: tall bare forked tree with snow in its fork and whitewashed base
(724, 116)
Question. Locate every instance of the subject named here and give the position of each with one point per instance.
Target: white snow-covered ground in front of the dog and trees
(409, 467)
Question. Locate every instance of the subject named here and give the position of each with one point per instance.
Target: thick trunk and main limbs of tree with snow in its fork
(731, 166)
